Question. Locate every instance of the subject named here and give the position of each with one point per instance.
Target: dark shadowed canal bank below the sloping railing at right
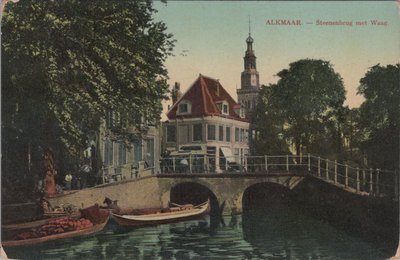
(370, 217)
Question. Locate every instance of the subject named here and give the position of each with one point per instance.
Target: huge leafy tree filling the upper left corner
(66, 64)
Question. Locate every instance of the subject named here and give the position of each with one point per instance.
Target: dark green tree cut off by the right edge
(380, 115)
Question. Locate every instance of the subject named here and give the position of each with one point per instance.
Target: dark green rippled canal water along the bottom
(276, 233)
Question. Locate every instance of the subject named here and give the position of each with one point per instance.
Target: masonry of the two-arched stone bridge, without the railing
(155, 191)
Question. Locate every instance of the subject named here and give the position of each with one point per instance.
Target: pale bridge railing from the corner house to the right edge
(374, 182)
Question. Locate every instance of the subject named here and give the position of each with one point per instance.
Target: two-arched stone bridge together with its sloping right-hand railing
(156, 190)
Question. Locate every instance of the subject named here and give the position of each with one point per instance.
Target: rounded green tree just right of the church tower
(309, 98)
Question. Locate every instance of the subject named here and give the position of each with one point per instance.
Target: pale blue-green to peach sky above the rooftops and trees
(211, 39)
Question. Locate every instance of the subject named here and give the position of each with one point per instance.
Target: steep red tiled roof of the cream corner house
(204, 95)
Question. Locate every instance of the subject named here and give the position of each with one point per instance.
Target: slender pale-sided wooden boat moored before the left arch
(173, 214)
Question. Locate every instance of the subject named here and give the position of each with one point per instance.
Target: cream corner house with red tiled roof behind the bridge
(206, 119)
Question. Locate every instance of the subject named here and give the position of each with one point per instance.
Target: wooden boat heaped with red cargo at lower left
(93, 219)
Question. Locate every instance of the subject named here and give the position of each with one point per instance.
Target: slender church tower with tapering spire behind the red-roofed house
(250, 79)
